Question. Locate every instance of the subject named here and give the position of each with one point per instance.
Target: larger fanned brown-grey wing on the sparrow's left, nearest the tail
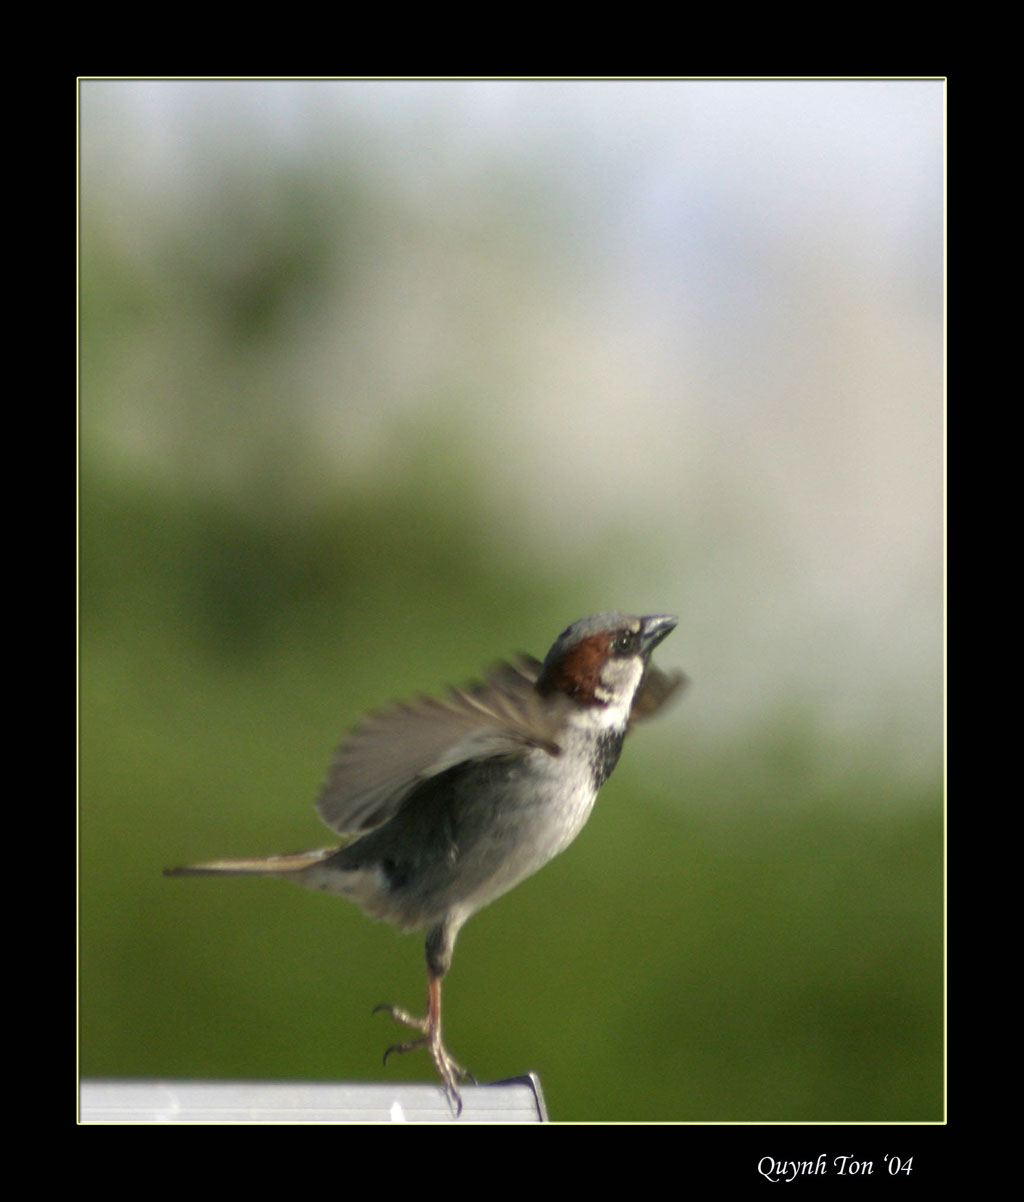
(382, 761)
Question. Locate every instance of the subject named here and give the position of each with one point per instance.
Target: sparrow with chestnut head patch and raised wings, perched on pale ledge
(453, 801)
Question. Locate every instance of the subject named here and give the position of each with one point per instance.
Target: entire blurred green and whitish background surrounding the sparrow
(382, 382)
